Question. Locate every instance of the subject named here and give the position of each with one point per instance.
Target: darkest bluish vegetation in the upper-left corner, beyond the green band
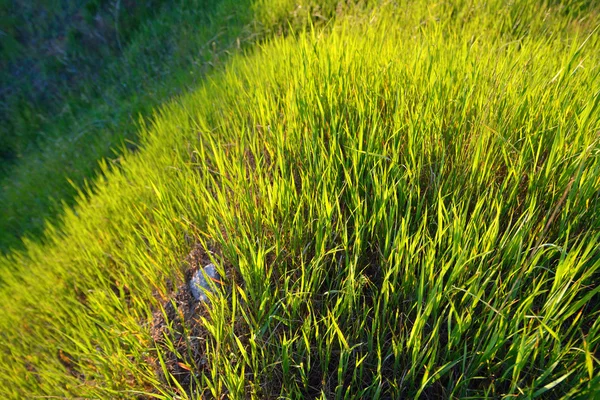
(47, 46)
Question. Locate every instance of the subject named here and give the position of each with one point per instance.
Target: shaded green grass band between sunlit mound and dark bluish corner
(63, 137)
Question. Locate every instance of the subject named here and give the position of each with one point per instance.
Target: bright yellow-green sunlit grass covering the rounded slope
(405, 205)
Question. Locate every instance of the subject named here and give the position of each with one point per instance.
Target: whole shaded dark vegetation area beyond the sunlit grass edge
(72, 93)
